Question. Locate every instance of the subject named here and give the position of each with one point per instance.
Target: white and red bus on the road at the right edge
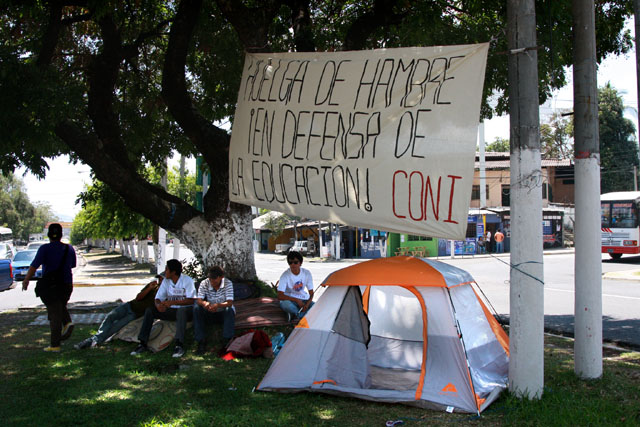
(619, 223)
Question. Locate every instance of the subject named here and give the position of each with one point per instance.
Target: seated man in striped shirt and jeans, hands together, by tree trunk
(214, 304)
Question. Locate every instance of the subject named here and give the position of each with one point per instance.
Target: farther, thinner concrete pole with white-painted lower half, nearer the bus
(588, 263)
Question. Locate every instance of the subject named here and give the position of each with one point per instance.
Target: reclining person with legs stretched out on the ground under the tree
(123, 314)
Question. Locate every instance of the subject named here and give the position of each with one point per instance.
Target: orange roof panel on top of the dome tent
(392, 271)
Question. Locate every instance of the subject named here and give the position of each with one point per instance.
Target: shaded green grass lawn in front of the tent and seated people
(106, 386)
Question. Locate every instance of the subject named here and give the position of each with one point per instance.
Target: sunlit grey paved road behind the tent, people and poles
(621, 298)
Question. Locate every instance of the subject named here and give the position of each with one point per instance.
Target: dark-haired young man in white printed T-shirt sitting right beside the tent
(295, 288)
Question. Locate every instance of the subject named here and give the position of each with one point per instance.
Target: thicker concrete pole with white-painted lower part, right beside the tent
(526, 325)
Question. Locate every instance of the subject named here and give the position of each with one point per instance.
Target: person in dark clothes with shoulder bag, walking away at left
(55, 287)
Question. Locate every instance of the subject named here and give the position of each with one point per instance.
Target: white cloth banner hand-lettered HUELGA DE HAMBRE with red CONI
(382, 139)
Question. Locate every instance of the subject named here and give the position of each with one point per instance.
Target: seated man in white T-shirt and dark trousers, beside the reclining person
(174, 301)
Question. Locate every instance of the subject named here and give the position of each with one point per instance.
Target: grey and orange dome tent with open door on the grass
(400, 329)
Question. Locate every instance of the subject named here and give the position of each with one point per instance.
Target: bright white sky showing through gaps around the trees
(64, 182)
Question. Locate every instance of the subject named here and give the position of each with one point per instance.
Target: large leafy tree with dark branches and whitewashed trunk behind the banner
(118, 84)
